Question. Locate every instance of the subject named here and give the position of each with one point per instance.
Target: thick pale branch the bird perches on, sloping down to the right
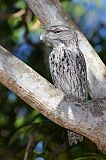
(86, 118)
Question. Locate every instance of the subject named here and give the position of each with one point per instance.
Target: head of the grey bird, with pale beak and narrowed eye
(57, 35)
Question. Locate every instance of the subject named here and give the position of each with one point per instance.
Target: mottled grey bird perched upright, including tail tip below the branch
(67, 66)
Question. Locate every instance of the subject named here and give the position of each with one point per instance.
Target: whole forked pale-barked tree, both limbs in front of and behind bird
(86, 118)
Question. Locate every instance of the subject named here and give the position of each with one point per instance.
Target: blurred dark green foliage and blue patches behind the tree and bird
(25, 133)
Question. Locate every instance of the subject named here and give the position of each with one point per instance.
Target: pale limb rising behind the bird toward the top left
(50, 13)
